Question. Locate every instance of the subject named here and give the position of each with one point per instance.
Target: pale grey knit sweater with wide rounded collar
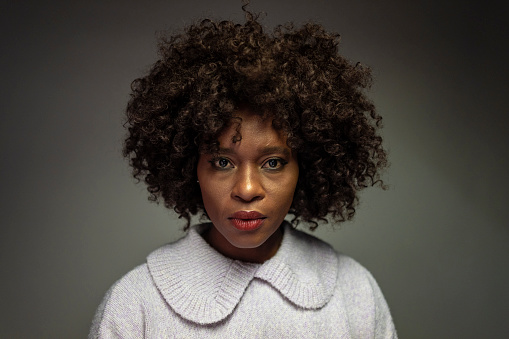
(187, 289)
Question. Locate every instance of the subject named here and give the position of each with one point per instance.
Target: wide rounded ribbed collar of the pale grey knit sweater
(204, 286)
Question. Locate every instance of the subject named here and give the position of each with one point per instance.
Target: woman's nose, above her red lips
(248, 185)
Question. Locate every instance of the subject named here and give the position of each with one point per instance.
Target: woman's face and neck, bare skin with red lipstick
(248, 188)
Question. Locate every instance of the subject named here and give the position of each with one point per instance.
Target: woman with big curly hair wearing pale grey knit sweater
(246, 127)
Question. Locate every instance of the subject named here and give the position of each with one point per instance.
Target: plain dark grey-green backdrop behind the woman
(73, 221)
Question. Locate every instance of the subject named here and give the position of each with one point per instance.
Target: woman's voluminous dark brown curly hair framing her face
(312, 93)
